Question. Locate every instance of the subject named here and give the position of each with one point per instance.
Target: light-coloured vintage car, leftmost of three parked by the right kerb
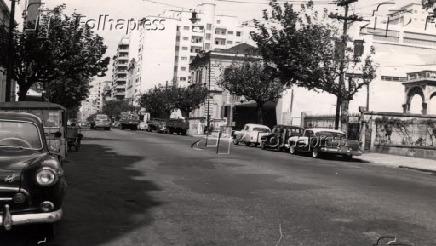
(250, 134)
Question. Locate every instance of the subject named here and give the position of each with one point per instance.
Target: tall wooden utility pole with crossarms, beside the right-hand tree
(340, 98)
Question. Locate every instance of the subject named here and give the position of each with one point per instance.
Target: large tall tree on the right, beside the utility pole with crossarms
(303, 48)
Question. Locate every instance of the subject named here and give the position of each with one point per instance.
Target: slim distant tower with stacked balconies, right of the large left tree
(119, 69)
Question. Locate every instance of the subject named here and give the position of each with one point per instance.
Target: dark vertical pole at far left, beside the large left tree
(11, 53)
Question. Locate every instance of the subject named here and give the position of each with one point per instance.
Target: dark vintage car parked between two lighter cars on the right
(278, 138)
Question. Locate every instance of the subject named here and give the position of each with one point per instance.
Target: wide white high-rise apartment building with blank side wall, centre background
(171, 50)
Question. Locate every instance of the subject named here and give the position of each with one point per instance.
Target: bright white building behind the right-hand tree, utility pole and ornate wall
(402, 46)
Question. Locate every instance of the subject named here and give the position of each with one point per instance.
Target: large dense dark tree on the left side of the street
(60, 49)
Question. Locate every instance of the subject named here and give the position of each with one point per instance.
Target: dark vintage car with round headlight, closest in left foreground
(32, 182)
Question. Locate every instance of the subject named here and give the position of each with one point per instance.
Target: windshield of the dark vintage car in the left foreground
(23, 135)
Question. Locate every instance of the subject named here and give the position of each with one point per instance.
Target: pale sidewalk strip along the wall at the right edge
(394, 161)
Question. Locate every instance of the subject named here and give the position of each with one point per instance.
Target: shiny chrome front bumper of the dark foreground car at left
(8, 220)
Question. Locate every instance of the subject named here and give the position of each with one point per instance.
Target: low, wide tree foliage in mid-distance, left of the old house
(161, 100)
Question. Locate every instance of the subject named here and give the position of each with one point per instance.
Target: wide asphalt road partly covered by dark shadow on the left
(138, 188)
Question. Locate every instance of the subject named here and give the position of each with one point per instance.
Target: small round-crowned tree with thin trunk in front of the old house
(255, 81)
